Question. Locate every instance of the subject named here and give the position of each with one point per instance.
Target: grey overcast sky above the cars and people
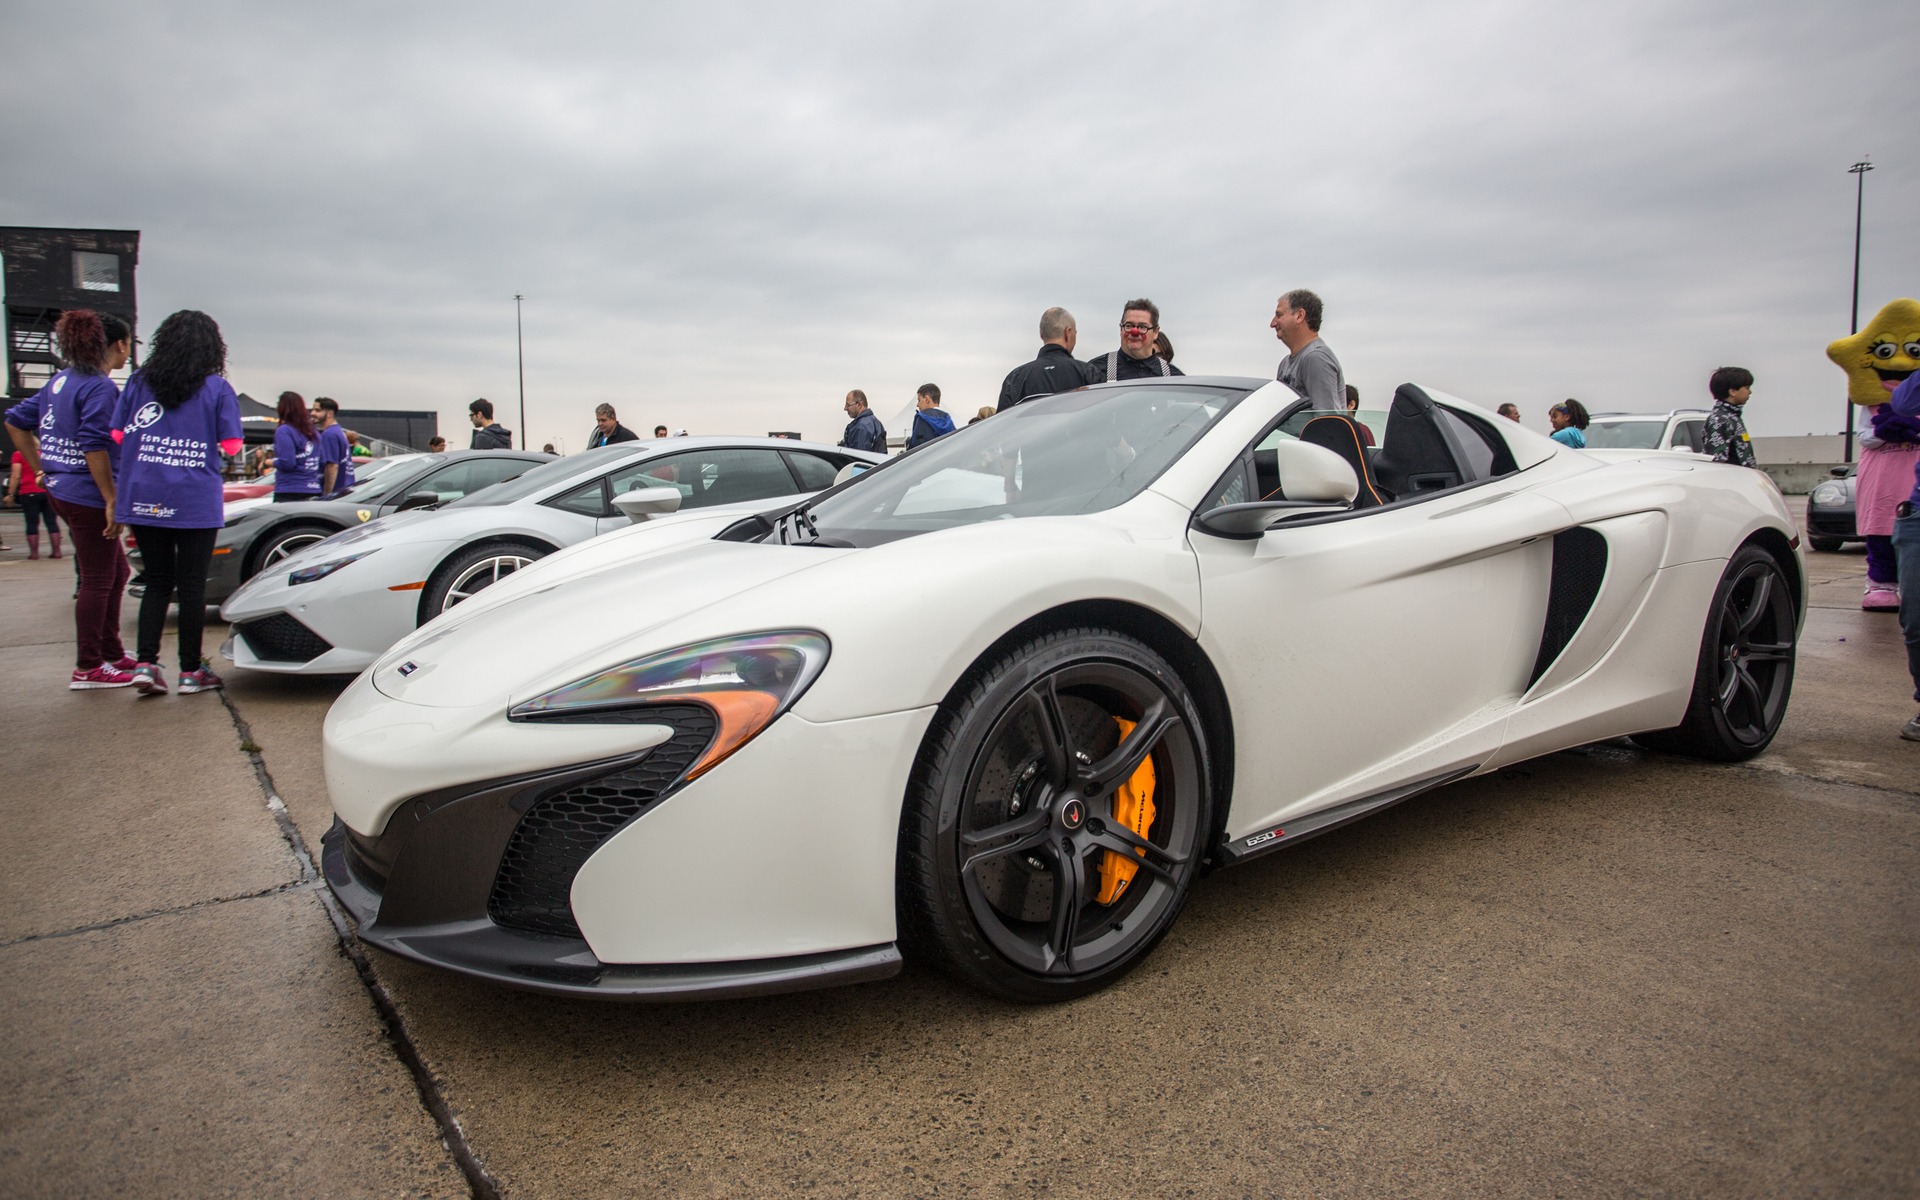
(723, 218)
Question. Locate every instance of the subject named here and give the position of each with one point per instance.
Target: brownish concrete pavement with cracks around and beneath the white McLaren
(1598, 974)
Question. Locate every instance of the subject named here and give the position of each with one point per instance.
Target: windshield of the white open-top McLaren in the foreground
(1065, 456)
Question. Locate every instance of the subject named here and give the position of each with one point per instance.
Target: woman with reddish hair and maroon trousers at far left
(64, 431)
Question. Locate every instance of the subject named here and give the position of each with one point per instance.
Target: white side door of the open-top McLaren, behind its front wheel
(1380, 648)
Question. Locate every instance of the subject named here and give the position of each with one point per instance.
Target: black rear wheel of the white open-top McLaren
(1746, 665)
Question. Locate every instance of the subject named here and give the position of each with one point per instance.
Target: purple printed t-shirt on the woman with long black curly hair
(170, 468)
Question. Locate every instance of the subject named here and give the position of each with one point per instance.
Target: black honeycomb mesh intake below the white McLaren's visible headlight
(562, 830)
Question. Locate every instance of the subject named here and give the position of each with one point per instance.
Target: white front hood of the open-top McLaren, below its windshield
(517, 646)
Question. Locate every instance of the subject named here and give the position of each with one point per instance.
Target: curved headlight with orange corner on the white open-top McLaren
(746, 681)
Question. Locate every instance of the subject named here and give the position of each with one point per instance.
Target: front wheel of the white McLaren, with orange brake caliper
(1003, 819)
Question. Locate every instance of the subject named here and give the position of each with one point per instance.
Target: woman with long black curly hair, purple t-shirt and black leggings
(174, 423)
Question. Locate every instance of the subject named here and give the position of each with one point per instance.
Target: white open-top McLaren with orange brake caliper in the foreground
(1005, 700)
